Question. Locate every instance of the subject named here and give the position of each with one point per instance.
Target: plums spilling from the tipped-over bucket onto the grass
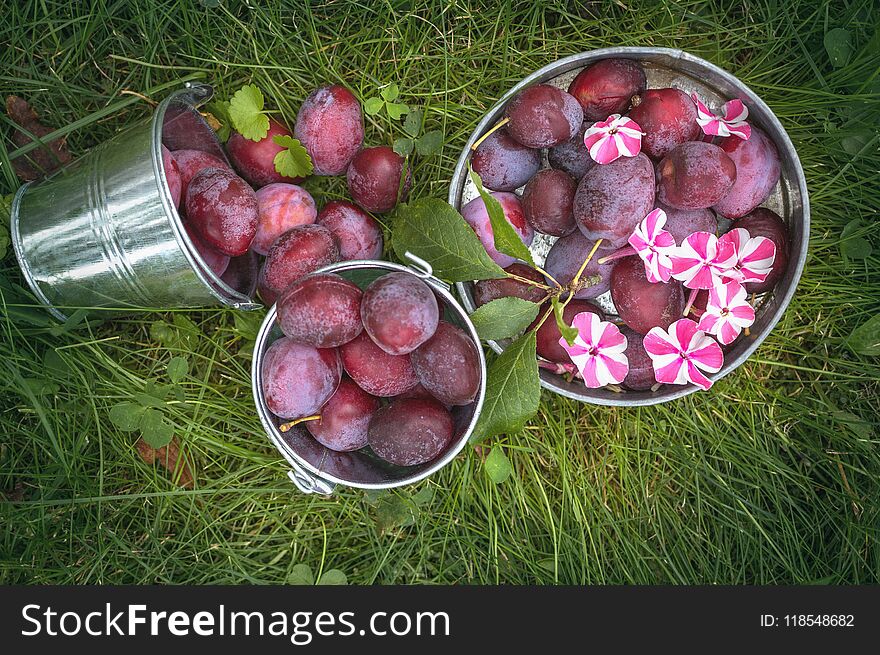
(237, 209)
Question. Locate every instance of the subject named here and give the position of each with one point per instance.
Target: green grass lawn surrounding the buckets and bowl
(773, 477)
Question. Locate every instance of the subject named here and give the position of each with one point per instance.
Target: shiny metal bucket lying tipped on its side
(103, 232)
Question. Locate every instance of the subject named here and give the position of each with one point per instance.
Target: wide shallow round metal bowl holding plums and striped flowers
(668, 68)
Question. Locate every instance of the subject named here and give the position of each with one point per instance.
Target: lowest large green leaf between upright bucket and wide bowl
(513, 390)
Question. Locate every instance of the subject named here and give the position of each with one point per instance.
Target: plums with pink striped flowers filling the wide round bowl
(682, 213)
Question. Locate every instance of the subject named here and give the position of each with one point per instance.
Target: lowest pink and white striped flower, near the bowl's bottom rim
(682, 354)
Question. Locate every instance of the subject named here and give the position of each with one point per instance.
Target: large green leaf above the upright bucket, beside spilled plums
(431, 229)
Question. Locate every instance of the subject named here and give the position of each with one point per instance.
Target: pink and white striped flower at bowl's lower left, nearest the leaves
(598, 350)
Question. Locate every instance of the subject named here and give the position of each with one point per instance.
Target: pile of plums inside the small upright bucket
(372, 363)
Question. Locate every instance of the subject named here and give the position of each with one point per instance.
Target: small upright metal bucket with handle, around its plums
(317, 469)
